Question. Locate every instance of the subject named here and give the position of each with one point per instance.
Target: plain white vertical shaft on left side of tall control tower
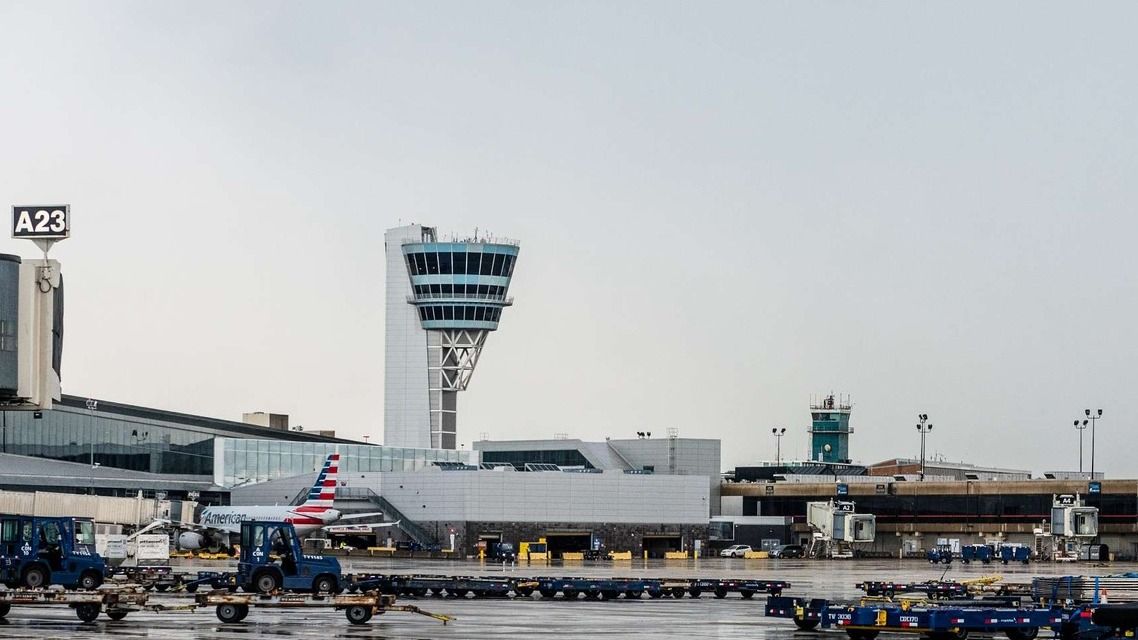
(407, 409)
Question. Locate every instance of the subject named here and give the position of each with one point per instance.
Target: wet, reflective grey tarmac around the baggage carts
(732, 618)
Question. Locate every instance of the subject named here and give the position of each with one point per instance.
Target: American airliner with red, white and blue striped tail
(219, 524)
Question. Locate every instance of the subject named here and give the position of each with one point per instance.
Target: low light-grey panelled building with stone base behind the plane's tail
(574, 510)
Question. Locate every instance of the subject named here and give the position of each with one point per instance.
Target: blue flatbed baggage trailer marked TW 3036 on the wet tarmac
(865, 622)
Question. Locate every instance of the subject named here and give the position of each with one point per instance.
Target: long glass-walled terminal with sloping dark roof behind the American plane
(127, 447)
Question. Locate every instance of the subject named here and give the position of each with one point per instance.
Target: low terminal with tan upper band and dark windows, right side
(914, 515)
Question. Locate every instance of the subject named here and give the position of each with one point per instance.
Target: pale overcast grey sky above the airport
(723, 208)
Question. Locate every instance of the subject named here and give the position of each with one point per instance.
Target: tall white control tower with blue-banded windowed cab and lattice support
(443, 300)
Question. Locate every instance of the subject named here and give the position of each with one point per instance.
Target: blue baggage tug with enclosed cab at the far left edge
(37, 552)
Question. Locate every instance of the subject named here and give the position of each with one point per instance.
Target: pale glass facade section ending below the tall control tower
(246, 462)
